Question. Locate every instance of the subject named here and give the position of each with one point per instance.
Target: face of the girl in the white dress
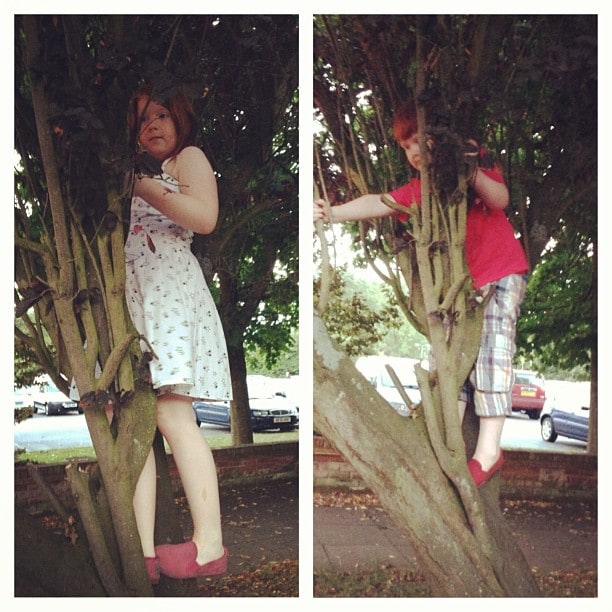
(157, 134)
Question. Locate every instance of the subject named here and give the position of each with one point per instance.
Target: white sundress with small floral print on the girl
(171, 306)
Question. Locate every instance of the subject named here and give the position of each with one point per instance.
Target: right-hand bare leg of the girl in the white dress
(196, 467)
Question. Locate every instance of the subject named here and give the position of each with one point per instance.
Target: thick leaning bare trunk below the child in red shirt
(463, 552)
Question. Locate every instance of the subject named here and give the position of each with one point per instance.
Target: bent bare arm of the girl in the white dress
(195, 206)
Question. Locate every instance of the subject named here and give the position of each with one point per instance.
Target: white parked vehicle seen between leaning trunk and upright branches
(374, 368)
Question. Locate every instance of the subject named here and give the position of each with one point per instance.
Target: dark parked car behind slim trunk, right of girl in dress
(270, 409)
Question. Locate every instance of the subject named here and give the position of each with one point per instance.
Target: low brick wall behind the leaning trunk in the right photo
(525, 475)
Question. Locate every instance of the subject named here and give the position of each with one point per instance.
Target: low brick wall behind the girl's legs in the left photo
(235, 465)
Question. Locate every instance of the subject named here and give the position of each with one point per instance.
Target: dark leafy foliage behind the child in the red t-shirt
(528, 92)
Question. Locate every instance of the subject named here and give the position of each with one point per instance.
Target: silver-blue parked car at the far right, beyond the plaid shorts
(567, 414)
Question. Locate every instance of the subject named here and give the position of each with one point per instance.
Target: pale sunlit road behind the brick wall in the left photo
(66, 431)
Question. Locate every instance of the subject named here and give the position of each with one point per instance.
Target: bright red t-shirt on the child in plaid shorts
(492, 250)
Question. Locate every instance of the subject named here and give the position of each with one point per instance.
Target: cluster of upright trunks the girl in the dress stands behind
(106, 513)
